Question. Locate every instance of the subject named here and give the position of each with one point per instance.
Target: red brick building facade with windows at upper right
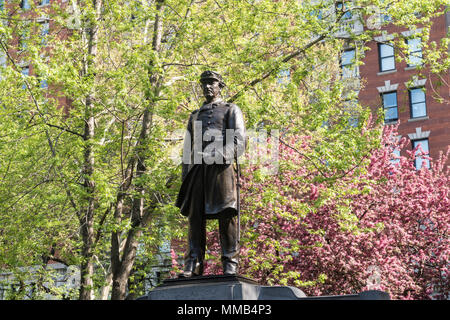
(406, 93)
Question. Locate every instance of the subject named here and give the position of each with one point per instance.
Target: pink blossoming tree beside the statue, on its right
(381, 225)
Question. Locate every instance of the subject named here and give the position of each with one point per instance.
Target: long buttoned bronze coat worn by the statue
(214, 184)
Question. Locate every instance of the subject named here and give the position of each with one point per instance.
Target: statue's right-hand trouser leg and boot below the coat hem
(228, 232)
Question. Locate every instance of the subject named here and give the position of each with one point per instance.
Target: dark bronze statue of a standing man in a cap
(215, 138)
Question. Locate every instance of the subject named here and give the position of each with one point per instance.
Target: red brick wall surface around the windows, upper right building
(438, 113)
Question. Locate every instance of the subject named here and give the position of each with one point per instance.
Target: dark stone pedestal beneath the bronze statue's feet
(227, 287)
